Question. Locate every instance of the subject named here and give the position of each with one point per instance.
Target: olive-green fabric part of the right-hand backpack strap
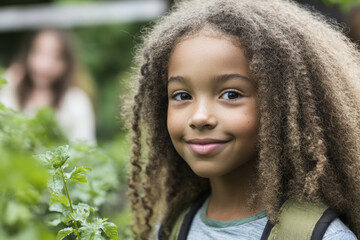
(297, 220)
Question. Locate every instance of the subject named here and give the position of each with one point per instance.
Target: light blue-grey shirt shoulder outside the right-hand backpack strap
(338, 230)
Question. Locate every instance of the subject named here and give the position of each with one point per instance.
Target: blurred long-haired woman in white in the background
(44, 75)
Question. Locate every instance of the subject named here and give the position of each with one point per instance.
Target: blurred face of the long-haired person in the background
(46, 61)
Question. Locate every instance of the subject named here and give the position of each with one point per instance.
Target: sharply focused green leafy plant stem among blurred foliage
(84, 227)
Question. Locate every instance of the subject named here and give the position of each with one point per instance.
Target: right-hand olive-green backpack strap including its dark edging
(300, 220)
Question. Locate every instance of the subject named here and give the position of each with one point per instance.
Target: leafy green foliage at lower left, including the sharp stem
(49, 192)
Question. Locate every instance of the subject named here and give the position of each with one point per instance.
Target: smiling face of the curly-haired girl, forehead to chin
(212, 114)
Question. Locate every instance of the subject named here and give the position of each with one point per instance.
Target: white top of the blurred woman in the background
(75, 114)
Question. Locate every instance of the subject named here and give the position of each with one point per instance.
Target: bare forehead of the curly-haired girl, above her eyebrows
(204, 57)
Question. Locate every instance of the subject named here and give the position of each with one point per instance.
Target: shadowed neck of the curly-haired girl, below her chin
(230, 194)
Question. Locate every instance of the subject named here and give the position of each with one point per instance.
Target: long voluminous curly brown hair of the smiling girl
(307, 75)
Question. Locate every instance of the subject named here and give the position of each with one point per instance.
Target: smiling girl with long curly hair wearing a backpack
(251, 110)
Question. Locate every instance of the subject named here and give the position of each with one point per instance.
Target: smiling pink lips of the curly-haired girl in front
(205, 146)
